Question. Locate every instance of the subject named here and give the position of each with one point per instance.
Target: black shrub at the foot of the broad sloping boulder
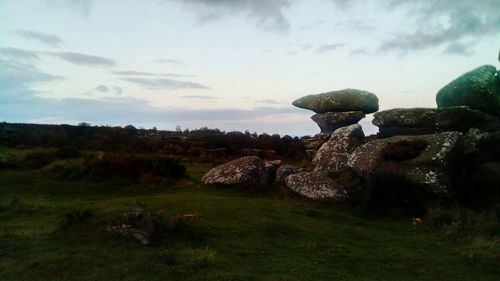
(391, 193)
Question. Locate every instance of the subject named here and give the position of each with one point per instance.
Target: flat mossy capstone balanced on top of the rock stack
(339, 101)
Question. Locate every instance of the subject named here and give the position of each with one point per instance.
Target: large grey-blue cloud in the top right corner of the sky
(452, 24)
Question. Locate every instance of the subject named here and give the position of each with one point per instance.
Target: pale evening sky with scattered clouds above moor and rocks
(231, 64)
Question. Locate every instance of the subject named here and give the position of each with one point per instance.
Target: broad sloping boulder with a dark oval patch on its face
(429, 160)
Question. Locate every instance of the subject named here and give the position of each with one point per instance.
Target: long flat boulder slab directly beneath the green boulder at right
(421, 121)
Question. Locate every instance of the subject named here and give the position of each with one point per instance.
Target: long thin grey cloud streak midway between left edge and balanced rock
(164, 83)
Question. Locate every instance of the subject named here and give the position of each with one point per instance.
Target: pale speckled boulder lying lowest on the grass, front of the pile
(316, 186)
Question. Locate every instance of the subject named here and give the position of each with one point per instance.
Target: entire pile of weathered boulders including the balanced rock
(432, 147)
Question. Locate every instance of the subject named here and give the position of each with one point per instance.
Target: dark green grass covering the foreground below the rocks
(238, 236)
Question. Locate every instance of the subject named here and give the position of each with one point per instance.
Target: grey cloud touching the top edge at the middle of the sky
(268, 14)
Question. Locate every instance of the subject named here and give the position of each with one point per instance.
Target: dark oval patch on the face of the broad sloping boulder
(404, 150)
